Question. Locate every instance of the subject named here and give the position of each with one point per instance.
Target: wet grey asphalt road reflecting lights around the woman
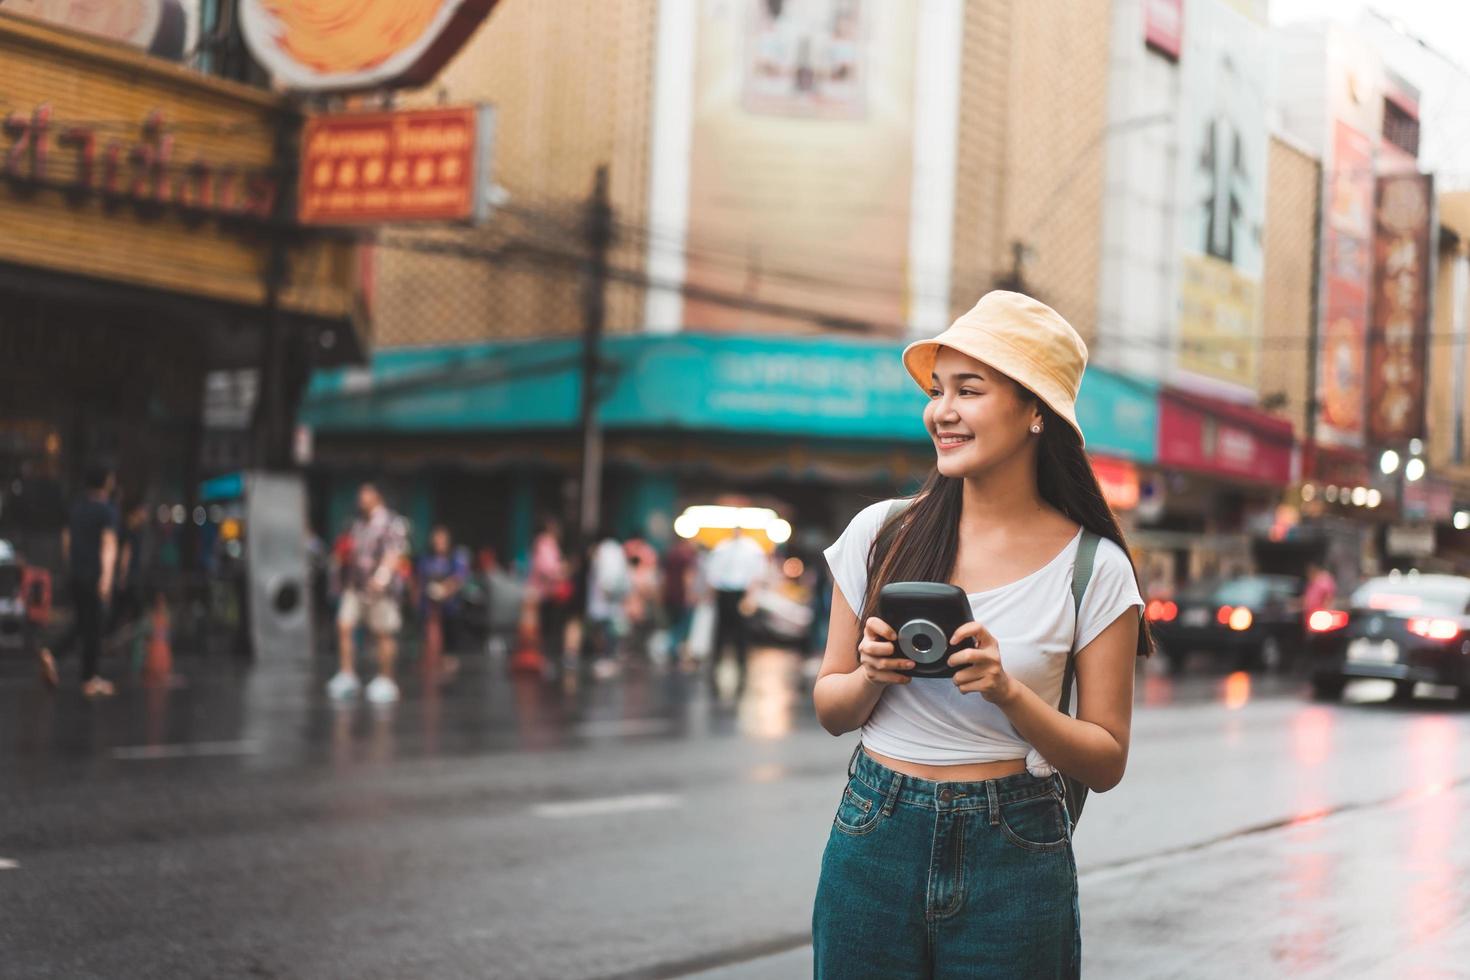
(243, 826)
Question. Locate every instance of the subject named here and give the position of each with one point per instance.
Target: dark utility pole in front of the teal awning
(598, 237)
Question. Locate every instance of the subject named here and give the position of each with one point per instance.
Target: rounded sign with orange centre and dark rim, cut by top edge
(351, 45)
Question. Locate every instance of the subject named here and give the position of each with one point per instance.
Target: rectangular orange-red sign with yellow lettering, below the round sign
(396, 167)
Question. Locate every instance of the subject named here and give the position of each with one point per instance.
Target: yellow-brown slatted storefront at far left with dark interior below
(139, 218)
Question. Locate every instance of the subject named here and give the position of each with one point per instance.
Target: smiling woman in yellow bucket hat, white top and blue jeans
(952, 849)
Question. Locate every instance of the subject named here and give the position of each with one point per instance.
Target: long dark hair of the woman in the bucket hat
(922, 541)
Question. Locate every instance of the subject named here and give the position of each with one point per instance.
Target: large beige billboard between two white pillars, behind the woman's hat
(800, 161)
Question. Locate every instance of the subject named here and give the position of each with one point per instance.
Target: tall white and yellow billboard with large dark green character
(1222, 193)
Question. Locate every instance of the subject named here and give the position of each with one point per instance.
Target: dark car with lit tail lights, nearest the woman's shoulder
(1253, 621)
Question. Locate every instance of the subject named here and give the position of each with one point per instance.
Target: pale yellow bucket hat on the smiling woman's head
(1022, 339)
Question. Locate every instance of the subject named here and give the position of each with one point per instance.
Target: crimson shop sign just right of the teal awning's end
(1228, 440)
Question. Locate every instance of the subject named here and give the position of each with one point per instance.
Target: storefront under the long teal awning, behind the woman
(484, 437)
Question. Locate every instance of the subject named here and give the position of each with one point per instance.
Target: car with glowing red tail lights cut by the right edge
(1403, 628)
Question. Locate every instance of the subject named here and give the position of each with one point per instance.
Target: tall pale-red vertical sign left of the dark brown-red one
(1347, 256)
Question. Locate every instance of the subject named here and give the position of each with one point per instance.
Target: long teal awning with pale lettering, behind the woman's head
(814, 387)
